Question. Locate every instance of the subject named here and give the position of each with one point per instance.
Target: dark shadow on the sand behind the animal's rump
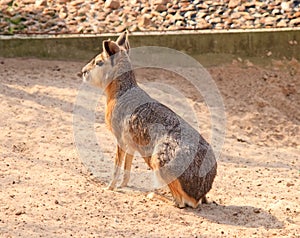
(246, 216)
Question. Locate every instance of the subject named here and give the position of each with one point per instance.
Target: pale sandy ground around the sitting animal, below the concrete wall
(46, 191)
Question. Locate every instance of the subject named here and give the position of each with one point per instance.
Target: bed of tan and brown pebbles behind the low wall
(79, 16)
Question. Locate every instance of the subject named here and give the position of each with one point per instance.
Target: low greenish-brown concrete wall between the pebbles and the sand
(278, 43)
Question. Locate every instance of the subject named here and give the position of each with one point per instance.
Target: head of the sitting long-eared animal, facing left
(106, 66)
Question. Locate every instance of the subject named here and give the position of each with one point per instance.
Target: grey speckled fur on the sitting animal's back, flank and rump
(156, 131)
